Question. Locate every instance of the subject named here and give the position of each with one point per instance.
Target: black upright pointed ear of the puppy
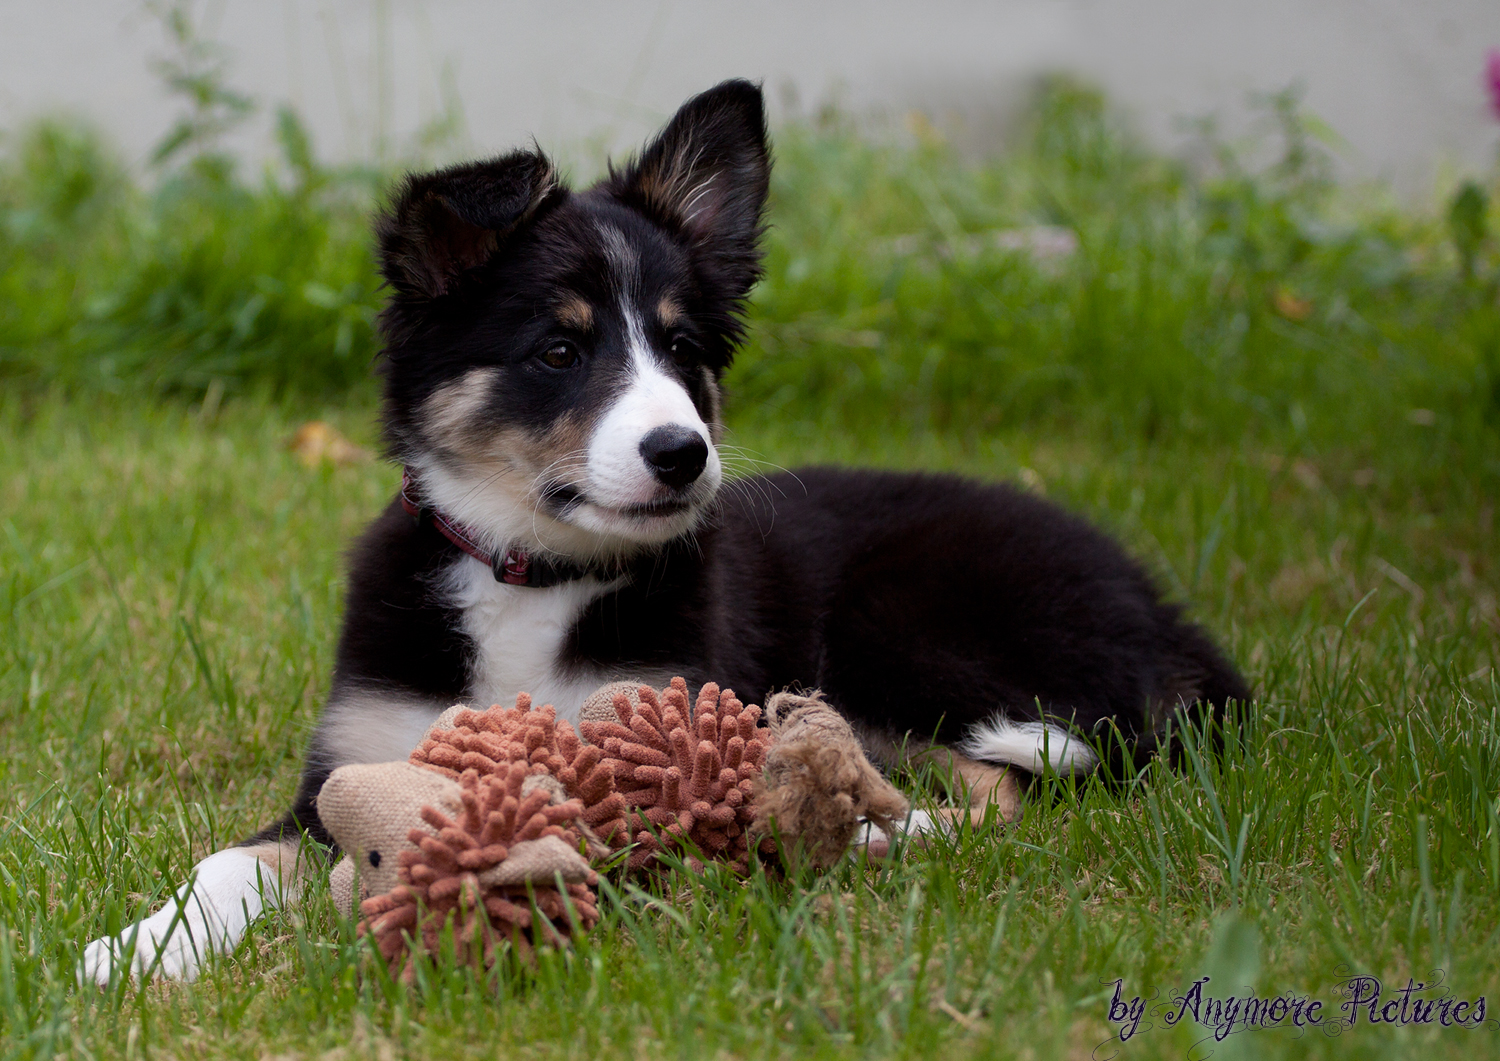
(706, 176)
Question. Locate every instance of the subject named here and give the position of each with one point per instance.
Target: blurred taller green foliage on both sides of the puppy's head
(1076, 275)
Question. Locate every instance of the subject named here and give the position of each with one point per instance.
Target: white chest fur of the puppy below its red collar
(520, 634)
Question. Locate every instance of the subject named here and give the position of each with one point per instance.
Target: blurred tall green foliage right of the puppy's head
(1211, 302)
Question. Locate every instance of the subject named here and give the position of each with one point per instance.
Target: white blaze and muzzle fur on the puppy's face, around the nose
(619, 475)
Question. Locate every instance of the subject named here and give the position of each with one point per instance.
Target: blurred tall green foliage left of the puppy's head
(205, 278)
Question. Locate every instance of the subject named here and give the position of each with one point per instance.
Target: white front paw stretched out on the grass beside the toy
(208, 918)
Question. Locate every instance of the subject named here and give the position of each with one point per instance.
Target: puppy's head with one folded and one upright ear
(553, 358)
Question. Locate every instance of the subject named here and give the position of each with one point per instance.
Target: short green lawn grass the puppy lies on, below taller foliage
(170, 597)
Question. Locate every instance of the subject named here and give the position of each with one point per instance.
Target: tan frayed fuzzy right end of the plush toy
(818, 784)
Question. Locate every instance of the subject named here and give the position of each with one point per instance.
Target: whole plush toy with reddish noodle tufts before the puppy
(491, 828)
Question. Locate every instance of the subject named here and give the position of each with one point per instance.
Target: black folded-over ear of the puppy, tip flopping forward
(443, 224)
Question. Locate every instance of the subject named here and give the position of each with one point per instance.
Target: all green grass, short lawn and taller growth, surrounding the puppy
(1283, 395)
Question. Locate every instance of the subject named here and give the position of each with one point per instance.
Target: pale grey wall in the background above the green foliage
(1400, 80)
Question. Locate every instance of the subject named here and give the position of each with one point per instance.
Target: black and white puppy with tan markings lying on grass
(553, 365)
